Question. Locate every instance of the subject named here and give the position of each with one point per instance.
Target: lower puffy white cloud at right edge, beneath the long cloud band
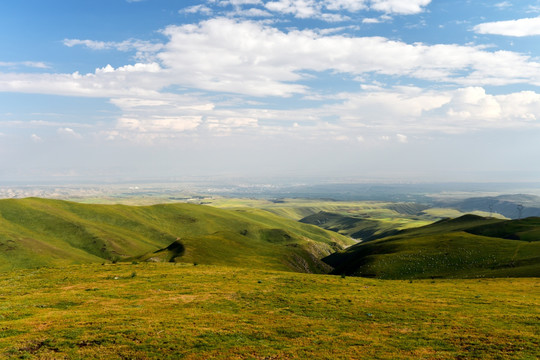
(409, 110)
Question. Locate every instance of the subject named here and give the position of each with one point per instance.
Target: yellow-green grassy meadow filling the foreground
(167, 311)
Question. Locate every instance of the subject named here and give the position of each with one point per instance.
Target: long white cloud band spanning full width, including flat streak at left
(251, 58)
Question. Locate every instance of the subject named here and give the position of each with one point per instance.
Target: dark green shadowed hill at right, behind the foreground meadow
(466, 247)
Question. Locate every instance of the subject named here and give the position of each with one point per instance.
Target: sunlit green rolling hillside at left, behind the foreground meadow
(41, 232)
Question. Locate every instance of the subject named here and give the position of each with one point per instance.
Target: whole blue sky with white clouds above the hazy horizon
(378, 90)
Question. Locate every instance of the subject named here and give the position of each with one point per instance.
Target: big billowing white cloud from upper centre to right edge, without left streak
(251, 58)
